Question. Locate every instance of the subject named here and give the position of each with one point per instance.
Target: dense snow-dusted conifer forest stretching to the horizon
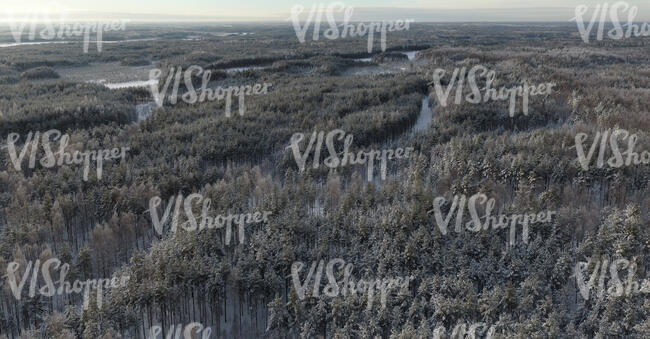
(102, 227)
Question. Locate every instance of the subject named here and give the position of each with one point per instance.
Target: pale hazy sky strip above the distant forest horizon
(278, 10)
